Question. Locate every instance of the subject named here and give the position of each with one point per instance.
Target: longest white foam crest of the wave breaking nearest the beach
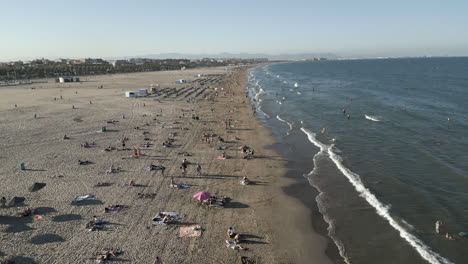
(383, 210)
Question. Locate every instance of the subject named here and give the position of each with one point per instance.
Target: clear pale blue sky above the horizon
(111, 28)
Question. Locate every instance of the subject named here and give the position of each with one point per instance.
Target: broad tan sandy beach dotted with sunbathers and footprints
(262, 212)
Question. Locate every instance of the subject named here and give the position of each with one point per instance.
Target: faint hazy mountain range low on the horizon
(294, 56)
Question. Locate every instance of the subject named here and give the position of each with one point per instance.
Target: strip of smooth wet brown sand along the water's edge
(308, 241)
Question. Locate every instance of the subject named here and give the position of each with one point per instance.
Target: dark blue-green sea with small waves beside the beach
(388, 144)
